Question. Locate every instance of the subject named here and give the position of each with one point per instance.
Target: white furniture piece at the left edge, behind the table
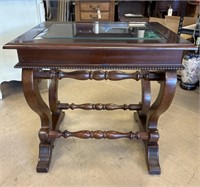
(16, 18)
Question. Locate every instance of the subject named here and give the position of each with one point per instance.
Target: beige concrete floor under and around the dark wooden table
(95, 163)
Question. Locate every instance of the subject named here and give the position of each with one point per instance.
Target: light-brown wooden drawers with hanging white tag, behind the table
(94, 10)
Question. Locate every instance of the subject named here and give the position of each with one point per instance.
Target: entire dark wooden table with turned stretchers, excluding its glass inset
(157, 60)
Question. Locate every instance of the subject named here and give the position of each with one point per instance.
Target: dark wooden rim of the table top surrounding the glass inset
(26, 41)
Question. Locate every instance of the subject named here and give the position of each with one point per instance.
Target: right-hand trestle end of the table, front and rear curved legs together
(150, 115)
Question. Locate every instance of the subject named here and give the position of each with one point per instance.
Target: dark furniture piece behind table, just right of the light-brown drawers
(134, 11)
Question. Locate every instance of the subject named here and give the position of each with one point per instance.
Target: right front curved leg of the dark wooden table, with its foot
(161, 104)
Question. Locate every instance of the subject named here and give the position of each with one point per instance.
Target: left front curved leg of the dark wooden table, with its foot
(36, 103)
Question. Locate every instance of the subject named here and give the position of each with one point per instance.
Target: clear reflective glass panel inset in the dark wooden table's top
(100, 31)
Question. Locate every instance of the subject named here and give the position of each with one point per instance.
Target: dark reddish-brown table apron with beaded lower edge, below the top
(103, 58)
